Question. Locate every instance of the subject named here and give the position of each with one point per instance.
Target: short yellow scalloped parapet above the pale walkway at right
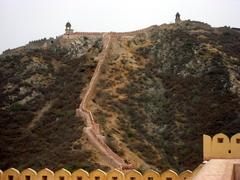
(221, 146)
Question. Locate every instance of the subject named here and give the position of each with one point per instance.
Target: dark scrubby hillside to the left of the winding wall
(40, 91)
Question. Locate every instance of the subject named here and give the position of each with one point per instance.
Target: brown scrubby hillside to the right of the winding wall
(161, 90)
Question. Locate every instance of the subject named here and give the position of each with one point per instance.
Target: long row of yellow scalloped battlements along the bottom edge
(80, 174)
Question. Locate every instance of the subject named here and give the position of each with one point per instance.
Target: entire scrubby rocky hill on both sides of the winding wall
(159, 91)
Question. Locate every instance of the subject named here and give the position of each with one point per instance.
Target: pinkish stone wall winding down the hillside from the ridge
(92, 130)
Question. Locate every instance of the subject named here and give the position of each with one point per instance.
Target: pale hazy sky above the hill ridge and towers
(26, 20)
